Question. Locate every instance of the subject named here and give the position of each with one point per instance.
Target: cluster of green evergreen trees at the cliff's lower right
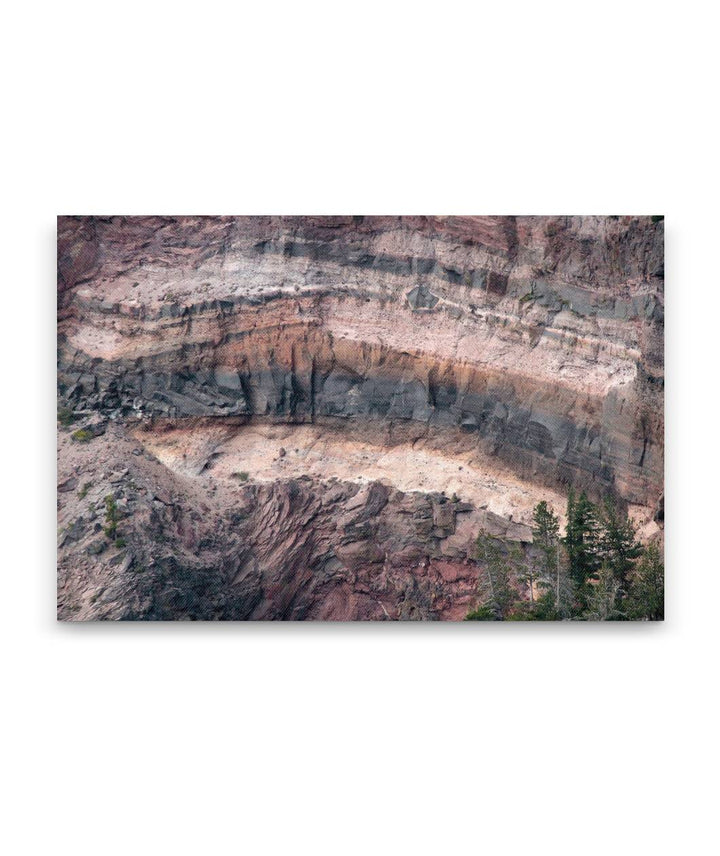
(597, 571)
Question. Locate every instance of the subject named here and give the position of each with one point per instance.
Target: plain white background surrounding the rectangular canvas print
(358, 739)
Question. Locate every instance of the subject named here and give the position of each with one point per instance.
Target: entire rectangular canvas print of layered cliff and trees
(360, 418)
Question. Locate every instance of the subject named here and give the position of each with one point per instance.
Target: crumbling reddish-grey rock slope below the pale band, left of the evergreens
(294, 549)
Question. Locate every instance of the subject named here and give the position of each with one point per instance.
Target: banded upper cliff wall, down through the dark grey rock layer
(536, 340)
